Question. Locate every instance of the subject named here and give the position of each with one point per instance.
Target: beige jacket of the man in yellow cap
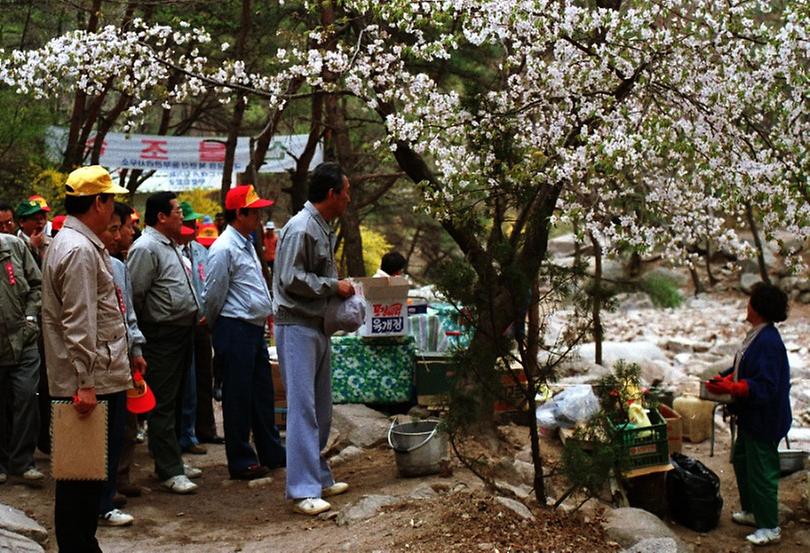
(83, 325)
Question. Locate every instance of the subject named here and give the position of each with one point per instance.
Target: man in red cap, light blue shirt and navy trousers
(237, 303)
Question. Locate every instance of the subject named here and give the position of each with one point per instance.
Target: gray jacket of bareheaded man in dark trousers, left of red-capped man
(162, 291)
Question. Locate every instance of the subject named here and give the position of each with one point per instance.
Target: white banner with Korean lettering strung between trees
(183, 162)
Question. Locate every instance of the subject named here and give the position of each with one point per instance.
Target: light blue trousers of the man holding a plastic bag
(304, 355)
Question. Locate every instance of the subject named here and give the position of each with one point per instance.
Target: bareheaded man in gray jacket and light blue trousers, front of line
(305, 277)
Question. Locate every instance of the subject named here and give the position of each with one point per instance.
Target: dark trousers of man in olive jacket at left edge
(19, 414)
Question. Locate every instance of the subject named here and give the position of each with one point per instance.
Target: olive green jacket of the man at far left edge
(20, 297)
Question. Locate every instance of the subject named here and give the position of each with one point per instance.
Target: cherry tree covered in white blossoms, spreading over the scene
(686, 110)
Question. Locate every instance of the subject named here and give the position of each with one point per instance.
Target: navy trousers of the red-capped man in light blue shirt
(247, 396)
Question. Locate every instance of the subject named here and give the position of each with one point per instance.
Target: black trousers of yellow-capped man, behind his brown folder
(77, 501)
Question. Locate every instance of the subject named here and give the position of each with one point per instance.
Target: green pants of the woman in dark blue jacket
(756, 465)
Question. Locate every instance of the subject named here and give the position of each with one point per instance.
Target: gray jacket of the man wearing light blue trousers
(305, 273)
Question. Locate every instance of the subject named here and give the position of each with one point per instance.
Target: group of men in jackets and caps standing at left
(103, 319)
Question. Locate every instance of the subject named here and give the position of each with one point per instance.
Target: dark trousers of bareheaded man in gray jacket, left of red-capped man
(168, 356)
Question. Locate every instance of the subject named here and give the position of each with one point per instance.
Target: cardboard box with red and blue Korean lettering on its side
(386, 306)
